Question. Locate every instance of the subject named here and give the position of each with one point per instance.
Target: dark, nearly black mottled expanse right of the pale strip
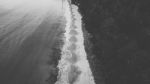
(120, 37)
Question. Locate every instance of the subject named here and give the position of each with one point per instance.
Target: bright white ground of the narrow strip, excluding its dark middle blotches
(74, 19)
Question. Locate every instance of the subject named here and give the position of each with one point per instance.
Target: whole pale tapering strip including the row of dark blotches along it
(73, 66)
